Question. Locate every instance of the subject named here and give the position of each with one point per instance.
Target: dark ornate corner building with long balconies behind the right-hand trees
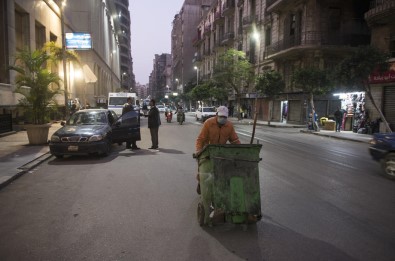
(284, 36)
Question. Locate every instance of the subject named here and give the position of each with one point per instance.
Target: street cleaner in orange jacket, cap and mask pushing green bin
(216, 130)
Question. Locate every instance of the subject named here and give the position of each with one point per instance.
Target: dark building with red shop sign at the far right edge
(381, 19)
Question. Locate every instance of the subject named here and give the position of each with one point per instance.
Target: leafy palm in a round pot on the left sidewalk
(39, 86)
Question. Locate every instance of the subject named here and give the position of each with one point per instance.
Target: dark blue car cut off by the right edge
(382, 149)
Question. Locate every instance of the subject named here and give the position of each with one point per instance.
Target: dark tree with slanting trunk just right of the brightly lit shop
(354, 71)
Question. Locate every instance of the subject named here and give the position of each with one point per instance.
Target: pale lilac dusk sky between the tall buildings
(151, 24)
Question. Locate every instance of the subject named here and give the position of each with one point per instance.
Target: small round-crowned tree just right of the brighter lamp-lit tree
(270, 84)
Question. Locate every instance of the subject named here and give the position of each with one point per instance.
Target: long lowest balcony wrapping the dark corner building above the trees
(317, 38)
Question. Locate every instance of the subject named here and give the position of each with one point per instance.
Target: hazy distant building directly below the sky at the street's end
(160, 78)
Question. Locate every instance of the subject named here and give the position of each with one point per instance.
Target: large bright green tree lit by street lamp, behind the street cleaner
(233, 72)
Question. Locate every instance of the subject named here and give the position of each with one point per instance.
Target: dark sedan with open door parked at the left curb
(93, 131)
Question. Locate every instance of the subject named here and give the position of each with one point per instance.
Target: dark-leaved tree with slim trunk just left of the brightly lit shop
(314, 81)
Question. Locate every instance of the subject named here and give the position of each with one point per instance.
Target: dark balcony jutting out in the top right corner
(381, 12)
